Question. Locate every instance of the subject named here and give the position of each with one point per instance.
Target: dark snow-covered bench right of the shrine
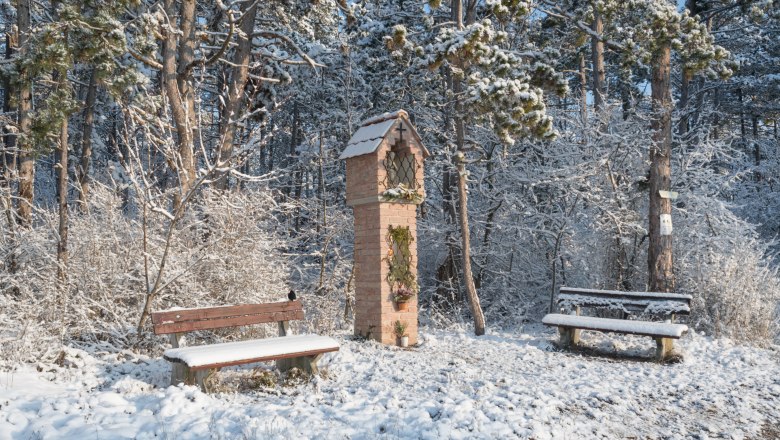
(628, 304)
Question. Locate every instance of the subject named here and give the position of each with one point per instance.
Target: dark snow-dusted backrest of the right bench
(651, 303)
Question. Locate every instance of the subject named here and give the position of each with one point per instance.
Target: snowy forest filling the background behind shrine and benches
(180, 153)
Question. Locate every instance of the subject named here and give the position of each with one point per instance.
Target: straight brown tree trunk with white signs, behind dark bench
(659, 256)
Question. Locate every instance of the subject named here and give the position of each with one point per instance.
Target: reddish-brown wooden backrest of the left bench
(185, 320)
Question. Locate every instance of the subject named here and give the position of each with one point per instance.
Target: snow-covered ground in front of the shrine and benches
(453, 385)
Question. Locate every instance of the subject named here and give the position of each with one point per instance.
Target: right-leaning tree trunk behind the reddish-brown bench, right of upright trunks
(235, 95)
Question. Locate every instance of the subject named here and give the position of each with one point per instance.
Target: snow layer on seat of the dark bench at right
(655, 329)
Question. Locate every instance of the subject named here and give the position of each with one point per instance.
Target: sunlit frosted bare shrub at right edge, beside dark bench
(727, 268)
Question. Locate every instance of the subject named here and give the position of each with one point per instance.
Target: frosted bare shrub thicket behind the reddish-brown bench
(229, 248)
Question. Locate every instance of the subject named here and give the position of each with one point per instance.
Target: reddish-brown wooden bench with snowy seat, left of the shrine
(193, 365)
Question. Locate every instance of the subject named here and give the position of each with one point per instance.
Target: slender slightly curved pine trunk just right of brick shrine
(468, 278)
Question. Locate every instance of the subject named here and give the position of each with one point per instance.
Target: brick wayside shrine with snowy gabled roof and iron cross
(384, 187)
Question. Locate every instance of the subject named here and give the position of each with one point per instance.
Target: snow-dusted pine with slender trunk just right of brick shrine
(503, 88)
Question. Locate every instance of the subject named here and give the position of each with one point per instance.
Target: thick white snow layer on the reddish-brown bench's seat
(252, 349)
